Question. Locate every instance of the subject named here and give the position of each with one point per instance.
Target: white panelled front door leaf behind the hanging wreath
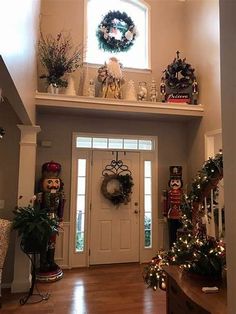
(114, 230)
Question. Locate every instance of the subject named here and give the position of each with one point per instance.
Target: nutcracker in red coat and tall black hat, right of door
(172, 201)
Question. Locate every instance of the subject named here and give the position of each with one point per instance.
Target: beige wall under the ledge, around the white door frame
(58, 129)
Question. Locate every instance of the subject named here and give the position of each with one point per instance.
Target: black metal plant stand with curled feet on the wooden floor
(39, 296)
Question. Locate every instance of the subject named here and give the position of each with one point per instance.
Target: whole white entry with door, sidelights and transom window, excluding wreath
(101, 232)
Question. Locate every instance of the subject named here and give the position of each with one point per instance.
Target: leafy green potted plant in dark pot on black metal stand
(35, 226)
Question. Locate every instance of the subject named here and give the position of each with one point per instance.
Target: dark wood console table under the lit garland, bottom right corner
(184, 294)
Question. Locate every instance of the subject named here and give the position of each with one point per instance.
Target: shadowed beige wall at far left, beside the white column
(9, 155)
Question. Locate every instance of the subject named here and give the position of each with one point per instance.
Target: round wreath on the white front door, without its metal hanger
(122, 195)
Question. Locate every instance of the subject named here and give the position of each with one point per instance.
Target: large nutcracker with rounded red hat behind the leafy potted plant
(51, 197)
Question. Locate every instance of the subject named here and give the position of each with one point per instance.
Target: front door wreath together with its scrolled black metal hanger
(117, 183)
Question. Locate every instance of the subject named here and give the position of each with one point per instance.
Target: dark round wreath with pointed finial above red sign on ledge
(179, 74)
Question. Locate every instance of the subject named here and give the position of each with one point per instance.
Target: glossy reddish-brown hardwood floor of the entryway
(95, 290)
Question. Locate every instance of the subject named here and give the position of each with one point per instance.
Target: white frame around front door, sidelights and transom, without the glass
(81, 259)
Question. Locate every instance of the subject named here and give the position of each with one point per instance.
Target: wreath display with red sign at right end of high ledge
(181, 83)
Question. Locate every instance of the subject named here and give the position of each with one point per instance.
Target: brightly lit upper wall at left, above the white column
(18, 33)
